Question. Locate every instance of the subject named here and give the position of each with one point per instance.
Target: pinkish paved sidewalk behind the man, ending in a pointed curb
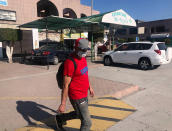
(20, 82)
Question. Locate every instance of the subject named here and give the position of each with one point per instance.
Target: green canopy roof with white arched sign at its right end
(115, 19)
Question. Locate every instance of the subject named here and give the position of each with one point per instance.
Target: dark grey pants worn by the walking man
(81, 112)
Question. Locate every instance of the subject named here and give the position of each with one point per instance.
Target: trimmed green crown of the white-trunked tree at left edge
(7, 34)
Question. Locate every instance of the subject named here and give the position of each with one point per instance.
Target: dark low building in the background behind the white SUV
(158, 30)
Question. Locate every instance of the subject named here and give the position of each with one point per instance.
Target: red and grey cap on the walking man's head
(81, 43)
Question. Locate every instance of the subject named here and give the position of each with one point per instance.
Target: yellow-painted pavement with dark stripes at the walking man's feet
(105, 112)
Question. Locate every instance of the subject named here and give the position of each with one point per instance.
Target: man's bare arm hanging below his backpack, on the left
(64, 94)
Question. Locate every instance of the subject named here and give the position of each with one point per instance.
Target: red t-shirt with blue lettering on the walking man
(79, 85)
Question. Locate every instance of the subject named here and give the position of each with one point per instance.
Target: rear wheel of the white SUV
(144, 64)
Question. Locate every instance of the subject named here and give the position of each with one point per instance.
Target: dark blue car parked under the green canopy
(51, 53)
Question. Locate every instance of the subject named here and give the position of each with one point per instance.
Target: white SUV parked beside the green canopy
(144, 54)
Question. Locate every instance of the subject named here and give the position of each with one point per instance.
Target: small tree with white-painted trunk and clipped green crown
(9, 37)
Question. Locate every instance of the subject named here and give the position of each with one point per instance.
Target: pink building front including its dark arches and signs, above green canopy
(16, 12)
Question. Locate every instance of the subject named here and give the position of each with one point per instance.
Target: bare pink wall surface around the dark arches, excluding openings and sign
(26, 10)
